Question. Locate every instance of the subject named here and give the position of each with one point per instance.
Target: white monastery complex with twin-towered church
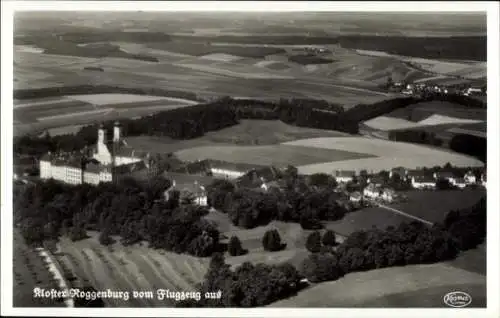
(107, 161)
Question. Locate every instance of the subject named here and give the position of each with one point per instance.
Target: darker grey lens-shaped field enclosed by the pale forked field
(277, 155)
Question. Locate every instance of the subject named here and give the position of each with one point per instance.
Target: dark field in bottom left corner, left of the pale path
(30, 271)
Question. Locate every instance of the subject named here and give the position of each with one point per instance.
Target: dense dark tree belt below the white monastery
(135, 211)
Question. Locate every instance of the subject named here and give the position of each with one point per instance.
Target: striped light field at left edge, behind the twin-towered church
(33, 115)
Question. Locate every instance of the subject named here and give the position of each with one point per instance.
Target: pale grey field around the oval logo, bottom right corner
(408, 286)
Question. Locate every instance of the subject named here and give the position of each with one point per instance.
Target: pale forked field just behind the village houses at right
(387, 154)
